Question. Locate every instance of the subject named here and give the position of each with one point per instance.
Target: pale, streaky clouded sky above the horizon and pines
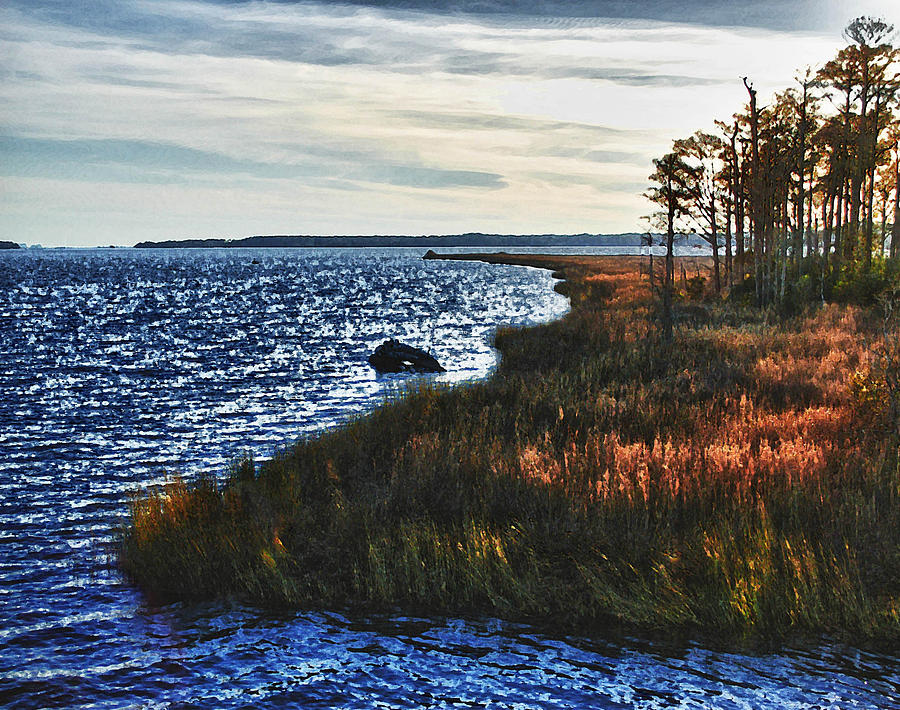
(129, 120)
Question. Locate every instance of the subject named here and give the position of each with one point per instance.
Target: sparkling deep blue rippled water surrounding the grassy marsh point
(120, 368)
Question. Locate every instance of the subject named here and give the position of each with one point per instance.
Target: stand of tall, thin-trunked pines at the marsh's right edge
(802, 194)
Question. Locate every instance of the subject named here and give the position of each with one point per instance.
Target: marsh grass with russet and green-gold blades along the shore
(742, 481)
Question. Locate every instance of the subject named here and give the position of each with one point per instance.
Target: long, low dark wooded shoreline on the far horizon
(473, 239)
